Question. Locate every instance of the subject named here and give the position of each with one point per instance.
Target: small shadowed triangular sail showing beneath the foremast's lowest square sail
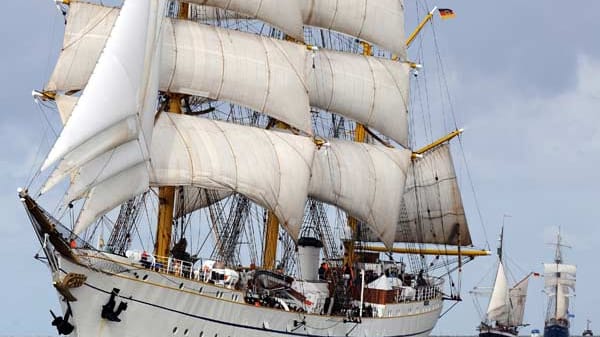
(189, 199)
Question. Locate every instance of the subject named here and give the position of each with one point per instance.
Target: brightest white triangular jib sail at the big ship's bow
(116, 89)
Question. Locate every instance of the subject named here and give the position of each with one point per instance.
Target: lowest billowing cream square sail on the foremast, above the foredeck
(271, 168)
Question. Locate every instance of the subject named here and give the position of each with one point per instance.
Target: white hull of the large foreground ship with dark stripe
(165, 305)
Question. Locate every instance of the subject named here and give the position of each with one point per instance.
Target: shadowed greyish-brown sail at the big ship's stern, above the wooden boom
(432, 209)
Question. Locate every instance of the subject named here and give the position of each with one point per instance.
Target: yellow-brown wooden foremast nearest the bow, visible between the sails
(166, 195)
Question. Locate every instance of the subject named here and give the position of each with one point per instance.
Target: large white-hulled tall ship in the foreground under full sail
(244, 168)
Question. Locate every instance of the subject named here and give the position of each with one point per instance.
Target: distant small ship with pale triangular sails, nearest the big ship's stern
(506, 307)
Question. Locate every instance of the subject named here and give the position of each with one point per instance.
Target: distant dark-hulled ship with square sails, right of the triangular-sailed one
(559, 286)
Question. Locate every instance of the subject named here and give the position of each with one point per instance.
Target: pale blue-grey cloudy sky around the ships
(524, 82)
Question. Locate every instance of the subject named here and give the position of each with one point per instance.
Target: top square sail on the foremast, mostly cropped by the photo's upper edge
(282, 14)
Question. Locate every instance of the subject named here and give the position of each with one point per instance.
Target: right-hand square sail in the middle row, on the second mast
(372, 91)
